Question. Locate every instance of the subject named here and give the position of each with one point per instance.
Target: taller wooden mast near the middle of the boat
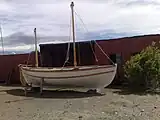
(73, 30)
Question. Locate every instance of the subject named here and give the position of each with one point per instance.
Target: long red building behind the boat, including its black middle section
(119, 50)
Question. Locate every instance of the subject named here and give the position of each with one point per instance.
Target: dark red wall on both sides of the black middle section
(123, 46)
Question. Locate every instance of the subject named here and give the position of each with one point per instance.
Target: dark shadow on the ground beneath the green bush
(127, 90)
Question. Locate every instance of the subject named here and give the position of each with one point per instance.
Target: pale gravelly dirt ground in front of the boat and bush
(116, 104)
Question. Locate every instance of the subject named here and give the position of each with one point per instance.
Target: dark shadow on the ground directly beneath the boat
(63, 94)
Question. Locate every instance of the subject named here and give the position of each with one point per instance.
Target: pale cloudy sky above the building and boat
(103, 19)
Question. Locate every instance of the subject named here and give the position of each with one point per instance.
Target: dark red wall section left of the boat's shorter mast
(9, 66)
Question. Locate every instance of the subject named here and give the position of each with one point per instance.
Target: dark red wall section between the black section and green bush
(125, 47)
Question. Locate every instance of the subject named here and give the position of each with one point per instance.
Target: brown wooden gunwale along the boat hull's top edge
(62, 70)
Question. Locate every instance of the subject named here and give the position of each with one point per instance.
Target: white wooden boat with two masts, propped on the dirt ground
(91, 77)
